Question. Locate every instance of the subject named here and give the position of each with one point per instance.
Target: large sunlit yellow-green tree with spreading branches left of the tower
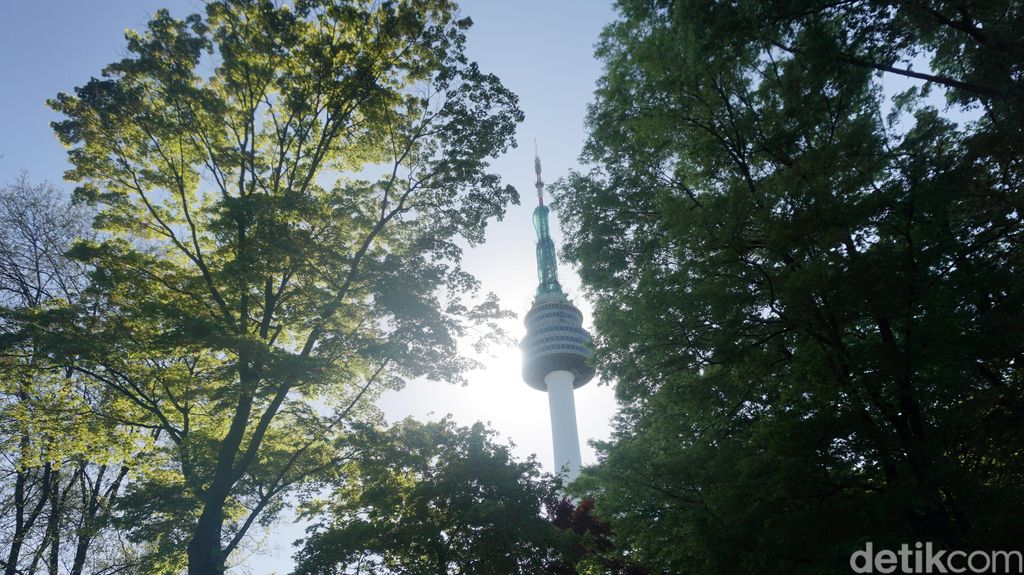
(283, 193)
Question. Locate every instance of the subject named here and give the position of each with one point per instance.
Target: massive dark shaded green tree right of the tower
(808, 293)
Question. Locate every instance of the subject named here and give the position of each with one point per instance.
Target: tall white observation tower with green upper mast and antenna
(554, 351)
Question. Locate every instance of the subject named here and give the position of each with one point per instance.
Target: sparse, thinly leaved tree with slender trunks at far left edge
(63, 466)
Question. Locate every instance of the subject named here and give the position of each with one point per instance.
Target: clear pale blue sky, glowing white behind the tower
(542, 51)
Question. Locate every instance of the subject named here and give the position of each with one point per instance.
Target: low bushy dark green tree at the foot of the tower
(435, 499)
